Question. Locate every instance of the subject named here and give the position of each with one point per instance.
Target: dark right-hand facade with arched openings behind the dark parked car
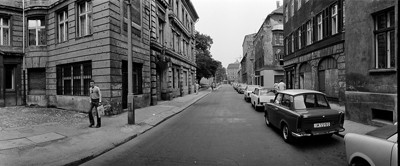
(314, 46)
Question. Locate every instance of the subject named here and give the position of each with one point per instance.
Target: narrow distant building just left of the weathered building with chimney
(247, 62)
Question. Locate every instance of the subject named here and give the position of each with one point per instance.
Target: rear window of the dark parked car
(306, 101)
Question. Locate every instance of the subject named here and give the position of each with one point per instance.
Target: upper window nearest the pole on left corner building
(85, 18)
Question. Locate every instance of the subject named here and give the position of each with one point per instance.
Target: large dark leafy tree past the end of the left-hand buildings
(206, 65)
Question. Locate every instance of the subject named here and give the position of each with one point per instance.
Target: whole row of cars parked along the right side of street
(304, 113)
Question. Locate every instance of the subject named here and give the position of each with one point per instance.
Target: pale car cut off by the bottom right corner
(378, 147)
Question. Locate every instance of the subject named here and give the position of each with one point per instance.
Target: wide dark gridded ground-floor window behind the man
(74, 79)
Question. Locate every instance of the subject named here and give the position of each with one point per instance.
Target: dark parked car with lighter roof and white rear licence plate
(301, 113)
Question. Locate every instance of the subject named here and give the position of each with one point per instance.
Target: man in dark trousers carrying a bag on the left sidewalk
(95, 100)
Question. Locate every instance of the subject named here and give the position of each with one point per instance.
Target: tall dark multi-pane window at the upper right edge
(384, 40)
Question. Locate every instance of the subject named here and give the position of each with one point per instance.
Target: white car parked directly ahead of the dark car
(261, 96)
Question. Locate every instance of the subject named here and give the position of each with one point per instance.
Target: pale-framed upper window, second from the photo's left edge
(37, 32)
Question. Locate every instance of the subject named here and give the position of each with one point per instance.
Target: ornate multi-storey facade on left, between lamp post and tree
(172, 46)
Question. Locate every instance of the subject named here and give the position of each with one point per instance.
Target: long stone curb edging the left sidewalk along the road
(88, 158)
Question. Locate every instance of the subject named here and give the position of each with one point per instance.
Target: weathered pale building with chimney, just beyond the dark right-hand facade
(268, 50)
